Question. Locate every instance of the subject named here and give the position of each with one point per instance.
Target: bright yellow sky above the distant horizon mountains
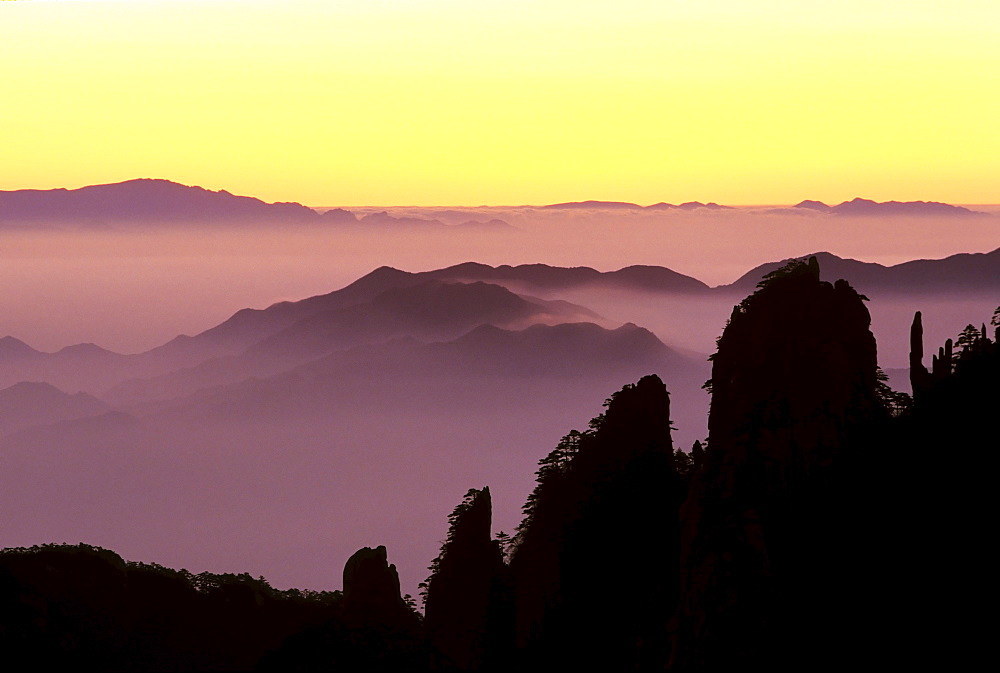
(432, 102)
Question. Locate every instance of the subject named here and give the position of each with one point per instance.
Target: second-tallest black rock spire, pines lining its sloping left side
(595, 560)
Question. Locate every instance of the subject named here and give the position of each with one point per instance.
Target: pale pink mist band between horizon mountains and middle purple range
(132, 287)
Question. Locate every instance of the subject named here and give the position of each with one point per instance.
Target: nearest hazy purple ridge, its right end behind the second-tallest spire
(405, 373)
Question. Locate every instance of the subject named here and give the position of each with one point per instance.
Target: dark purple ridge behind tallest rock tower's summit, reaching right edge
(965, 272)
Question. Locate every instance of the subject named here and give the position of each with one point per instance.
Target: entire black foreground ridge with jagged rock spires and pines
(828, 521)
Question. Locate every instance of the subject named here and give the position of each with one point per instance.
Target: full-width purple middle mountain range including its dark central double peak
(445, 303)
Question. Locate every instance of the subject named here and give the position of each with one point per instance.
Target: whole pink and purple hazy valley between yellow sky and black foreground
(349, 372)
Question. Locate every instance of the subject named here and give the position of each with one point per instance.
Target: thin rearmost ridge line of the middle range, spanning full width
(975, 272)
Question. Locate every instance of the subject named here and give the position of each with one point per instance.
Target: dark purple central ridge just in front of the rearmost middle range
(419, 310)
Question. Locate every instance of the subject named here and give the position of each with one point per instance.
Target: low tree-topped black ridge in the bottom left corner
(84, 608)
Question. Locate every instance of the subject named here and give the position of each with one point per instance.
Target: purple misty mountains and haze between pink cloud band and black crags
(219, 441)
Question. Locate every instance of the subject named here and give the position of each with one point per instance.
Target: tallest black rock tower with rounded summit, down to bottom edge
(793, 384)
